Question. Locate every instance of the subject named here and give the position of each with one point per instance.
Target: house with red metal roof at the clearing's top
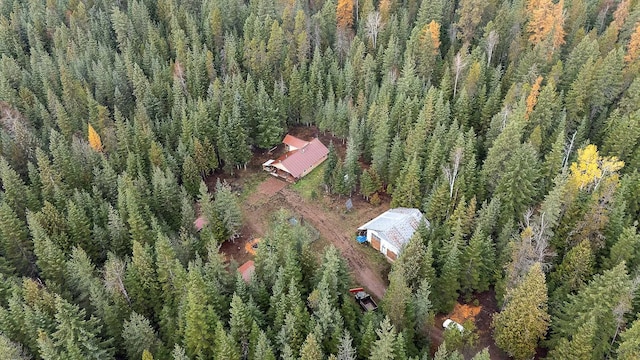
(299, 159)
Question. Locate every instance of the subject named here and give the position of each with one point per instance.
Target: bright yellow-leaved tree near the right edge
(591, 168)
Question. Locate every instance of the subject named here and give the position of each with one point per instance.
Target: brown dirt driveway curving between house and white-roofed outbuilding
(328, 217)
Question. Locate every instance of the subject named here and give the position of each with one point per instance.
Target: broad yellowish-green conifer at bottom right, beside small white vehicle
(524, 320)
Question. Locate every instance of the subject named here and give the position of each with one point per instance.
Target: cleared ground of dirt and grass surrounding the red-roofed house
(262, 195)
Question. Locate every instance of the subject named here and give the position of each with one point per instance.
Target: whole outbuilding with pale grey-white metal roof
(391, 231)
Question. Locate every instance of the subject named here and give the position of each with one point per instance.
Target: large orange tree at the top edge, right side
(545, 19)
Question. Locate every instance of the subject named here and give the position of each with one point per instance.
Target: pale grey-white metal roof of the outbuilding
(396, 225)
